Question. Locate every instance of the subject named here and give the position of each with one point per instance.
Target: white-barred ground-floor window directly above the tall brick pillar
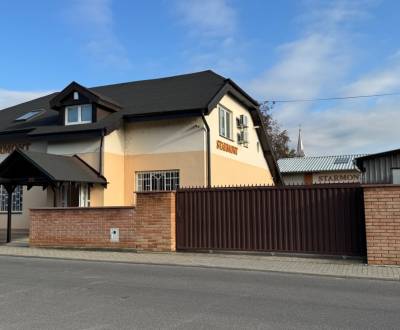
(157, 180)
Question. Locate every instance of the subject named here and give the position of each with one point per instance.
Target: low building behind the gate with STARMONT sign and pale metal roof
(319, 170)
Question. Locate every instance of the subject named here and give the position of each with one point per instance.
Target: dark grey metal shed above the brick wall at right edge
(380, 168)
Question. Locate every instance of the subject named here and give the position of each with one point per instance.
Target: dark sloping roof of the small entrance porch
(57, 168)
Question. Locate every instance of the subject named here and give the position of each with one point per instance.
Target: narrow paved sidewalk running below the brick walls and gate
(310, 266)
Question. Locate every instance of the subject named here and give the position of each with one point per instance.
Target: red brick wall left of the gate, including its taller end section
(150, 226)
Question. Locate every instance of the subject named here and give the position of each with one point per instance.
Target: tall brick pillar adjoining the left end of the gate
(155, 226)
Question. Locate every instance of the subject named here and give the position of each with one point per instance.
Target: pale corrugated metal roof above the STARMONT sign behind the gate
(318, 164)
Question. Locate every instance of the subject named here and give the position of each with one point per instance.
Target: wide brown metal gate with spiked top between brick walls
(326, 220)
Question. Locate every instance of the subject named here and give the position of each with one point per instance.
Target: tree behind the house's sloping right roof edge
(279, 137)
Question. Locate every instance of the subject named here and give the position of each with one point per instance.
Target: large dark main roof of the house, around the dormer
(182, 93)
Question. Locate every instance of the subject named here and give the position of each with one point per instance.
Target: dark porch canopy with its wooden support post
(28, 168)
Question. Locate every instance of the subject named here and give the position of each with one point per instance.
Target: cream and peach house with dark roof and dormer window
(196, 129)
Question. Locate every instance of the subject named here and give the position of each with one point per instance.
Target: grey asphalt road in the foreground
(60, 294)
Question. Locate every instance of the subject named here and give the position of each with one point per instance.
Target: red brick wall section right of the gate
(382, 222)
